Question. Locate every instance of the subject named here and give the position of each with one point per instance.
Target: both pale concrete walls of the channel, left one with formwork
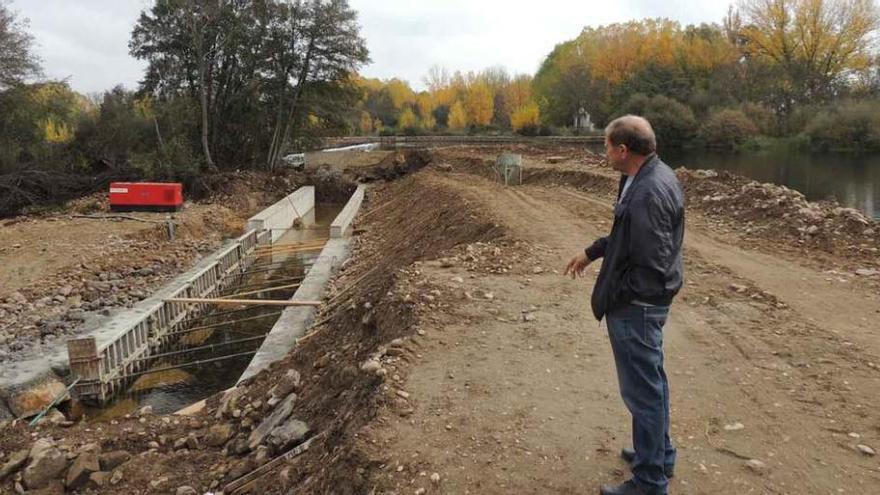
(98, 365)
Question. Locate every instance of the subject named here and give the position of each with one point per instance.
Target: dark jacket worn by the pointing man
(643, 251)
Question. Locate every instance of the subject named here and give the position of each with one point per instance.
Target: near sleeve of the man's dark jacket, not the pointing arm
(649, 245)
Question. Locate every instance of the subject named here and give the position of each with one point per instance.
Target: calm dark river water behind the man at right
(853, 180)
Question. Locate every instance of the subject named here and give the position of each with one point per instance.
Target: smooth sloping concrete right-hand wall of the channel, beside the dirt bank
(294, 321)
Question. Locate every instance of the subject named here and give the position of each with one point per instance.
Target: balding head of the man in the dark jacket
(628, 141)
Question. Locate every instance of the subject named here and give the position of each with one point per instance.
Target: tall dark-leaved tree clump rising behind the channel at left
(258, 68)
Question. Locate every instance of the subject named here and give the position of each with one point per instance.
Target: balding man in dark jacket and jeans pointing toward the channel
(640, 275)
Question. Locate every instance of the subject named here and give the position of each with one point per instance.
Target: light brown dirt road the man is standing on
(515, 392)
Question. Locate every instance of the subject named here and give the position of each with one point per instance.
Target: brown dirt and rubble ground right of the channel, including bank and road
(451, 356)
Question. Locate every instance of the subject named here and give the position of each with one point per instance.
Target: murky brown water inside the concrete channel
(173, 389)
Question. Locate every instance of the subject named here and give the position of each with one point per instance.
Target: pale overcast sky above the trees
(86, 41)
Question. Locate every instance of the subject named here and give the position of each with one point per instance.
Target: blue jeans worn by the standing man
(636, 334)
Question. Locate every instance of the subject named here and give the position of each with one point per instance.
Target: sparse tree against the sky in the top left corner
(17, 61)
